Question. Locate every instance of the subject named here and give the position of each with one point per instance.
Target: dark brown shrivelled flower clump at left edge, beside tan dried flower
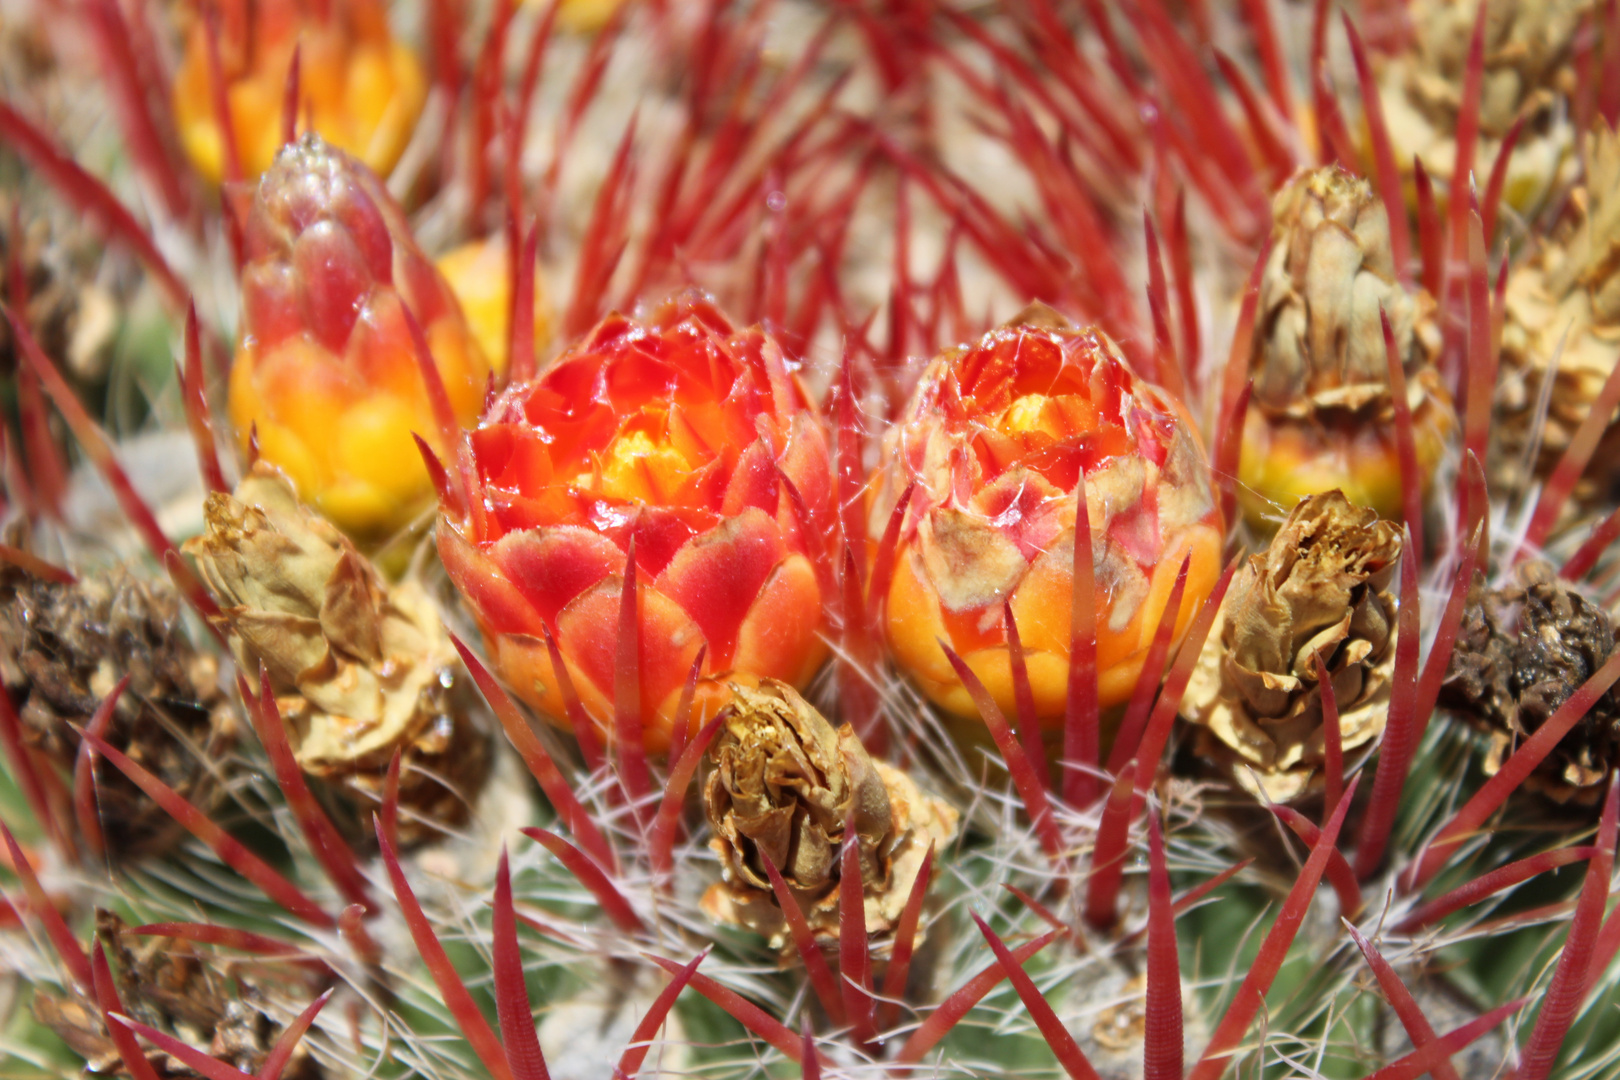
(66, 647)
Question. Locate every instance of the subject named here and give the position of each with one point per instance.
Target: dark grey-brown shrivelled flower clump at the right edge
(1522, 652)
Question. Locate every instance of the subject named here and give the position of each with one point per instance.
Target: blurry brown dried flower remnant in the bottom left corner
(166, 984)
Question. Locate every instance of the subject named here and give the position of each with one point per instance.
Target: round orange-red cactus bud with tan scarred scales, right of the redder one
(997, 438)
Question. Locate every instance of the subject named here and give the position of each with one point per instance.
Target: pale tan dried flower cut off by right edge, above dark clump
(1562, 307)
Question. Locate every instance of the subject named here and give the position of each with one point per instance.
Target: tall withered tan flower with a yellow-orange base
(1323, 415)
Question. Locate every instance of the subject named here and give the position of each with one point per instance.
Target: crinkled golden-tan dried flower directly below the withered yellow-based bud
(1321, 589)
